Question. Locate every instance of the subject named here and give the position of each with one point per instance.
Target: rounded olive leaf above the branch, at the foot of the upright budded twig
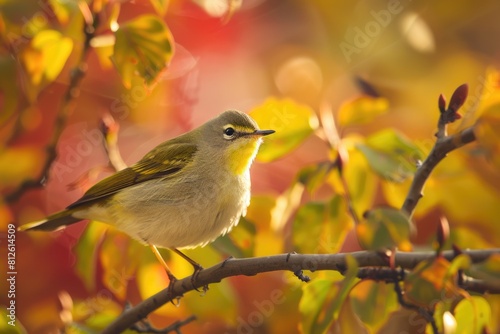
(384, 228)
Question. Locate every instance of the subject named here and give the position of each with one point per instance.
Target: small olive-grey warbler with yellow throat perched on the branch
(184, 193)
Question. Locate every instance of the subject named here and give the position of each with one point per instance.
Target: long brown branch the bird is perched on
(291, 262)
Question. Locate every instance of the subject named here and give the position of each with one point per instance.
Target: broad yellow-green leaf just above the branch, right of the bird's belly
(321, 227)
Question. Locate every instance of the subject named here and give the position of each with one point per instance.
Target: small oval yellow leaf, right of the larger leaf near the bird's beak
(362, 110)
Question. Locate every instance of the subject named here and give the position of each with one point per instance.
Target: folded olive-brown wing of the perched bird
(166, 159)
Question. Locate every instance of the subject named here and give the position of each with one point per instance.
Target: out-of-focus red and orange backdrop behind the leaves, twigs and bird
(232, 55)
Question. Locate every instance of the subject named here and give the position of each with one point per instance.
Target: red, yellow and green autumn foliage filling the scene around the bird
(369, 156)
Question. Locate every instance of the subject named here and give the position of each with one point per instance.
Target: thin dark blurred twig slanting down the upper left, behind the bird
(67, 106)
